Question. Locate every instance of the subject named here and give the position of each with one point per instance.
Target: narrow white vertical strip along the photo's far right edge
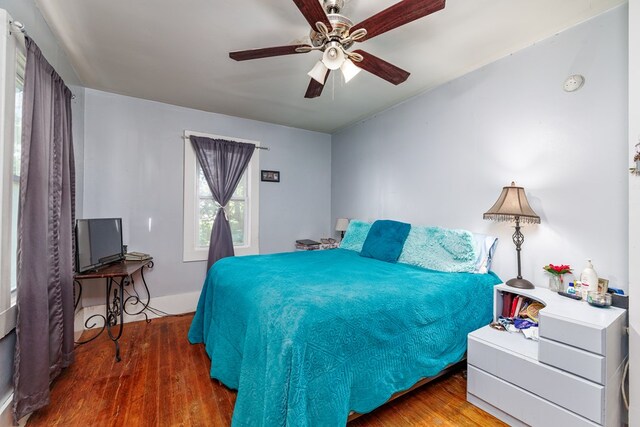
(634, 213)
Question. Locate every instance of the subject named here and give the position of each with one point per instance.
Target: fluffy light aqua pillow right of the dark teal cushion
(441, 249)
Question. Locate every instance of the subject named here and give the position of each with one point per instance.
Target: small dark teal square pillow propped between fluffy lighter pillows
(385, 240)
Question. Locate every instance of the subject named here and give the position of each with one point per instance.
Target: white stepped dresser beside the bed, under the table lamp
(571, 377)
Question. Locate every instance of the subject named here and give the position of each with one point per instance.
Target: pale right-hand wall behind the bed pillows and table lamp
(443, 157)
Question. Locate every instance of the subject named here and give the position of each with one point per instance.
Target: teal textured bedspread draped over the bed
(305, 337)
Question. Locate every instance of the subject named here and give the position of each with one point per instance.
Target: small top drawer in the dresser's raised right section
(582, 335)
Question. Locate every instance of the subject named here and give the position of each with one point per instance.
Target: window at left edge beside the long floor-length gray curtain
(12, 53)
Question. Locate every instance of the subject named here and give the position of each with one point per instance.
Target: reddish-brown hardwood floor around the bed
(163, 381)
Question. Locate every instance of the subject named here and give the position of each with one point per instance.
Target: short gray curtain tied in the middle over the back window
(223, 163)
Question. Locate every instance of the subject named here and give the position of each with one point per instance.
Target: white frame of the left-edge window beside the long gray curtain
(10, 45)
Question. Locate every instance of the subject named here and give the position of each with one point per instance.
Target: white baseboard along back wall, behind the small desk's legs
(170, 304)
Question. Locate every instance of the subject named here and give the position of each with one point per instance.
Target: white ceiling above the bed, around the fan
(177, 51)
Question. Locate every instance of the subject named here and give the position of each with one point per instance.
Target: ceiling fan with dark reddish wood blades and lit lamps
(334, 34)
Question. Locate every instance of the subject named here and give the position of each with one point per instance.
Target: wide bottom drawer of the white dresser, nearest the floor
(522, 405)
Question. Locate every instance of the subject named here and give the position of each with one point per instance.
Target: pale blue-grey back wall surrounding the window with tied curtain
(133, 167)
